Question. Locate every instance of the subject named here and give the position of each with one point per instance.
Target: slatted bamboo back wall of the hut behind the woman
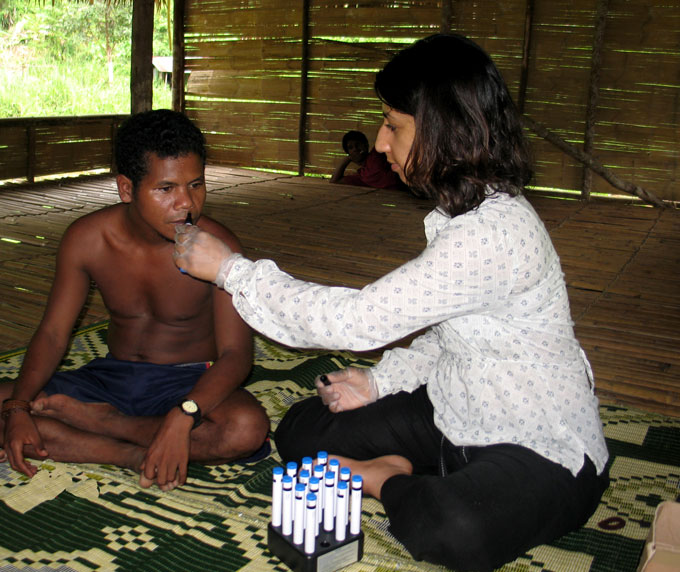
(275, 83)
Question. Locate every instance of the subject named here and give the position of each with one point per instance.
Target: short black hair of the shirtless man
(163, 132)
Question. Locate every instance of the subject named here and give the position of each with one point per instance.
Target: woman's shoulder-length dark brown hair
(468, 132)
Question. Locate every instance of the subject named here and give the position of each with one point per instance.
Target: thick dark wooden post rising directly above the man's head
(141, 66)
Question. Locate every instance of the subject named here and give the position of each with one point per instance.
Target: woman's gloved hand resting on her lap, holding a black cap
(347, 389)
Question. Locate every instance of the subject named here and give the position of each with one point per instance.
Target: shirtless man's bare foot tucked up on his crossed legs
(92, 417)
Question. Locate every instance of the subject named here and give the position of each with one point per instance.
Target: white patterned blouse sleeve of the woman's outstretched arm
(462, 270)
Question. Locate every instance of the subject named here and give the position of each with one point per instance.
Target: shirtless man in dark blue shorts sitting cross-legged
(155, 402)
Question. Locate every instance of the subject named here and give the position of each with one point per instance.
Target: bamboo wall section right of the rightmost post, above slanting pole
(637, 127)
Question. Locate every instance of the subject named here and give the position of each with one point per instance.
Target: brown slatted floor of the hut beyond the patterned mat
(622, 262)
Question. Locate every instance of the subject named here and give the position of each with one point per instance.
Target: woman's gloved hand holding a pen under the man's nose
(199, 253)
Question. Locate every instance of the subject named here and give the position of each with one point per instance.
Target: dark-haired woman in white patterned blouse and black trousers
(482, 438)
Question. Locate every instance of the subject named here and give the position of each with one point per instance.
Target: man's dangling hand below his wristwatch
(166, 460)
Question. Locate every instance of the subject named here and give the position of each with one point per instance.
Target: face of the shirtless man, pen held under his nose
(172, 188)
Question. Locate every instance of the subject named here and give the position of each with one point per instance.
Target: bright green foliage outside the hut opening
(70, 58)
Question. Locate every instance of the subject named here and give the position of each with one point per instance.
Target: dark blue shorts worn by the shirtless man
(134, 388)
